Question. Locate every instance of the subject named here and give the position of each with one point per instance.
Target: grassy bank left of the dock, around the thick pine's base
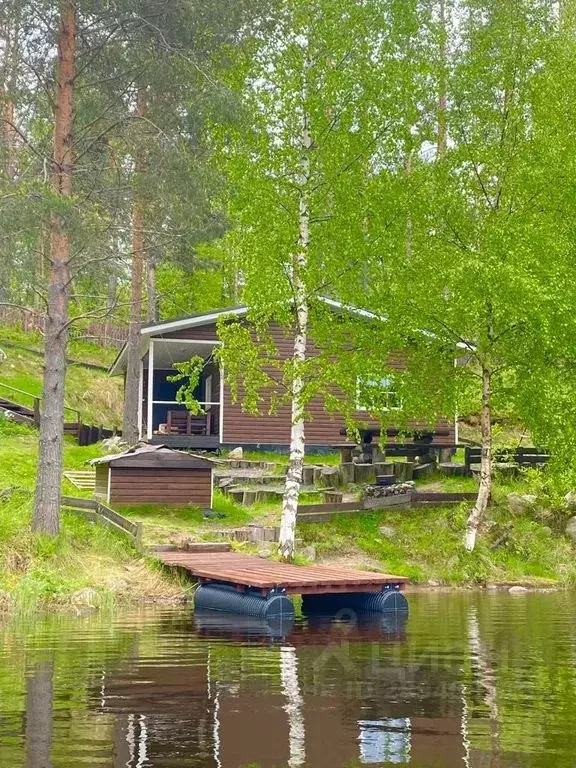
(36, 570)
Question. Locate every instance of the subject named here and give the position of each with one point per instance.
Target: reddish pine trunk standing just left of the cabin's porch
(130, 427)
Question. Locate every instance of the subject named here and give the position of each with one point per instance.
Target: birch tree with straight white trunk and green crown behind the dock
(322, 97)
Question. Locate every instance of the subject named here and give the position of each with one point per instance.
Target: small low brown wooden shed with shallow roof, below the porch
(154, 474)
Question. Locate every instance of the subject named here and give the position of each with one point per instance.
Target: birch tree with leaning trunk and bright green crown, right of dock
(485, 250)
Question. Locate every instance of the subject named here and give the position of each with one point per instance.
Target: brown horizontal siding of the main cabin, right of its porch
(322, 428)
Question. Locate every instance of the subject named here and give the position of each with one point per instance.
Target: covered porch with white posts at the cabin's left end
(162, 418)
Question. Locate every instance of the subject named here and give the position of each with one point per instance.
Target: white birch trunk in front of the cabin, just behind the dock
(297, 437)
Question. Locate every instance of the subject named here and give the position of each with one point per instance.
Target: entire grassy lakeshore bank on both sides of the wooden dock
(424, 544)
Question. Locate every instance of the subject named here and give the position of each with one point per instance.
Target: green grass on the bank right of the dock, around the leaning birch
(427, 545)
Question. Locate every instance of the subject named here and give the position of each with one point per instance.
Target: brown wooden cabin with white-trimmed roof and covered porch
(224, 424)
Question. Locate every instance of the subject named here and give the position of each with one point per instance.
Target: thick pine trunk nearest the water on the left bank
(46, 518)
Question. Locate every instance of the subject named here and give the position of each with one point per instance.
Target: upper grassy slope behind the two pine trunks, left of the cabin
(96, 395)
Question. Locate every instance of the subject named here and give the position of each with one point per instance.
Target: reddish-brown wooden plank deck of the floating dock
(246, 571)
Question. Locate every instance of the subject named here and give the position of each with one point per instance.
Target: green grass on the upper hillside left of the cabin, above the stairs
(96, 395)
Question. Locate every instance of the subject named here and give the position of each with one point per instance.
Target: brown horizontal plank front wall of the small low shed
(169, 487)
